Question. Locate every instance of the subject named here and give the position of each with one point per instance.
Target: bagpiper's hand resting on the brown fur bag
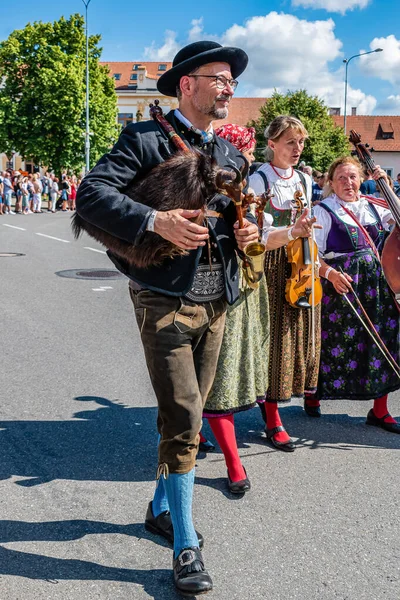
(174, 226)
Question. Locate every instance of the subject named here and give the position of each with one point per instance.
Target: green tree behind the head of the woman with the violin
(326, 140)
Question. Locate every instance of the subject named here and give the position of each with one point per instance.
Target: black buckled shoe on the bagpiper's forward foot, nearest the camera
(190, 576)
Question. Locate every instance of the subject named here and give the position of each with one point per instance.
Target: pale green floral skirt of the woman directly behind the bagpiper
(242, 371)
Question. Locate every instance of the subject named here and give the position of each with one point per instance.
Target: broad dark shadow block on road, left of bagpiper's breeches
(112, 443)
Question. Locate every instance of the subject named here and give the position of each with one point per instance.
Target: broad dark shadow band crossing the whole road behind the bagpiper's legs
(119, 443)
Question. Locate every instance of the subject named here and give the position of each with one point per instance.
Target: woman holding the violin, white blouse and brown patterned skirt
(293, 367)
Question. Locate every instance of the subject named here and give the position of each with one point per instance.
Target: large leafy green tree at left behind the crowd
(42, 101)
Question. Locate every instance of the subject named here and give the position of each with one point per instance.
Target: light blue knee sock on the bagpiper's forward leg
(179, 488)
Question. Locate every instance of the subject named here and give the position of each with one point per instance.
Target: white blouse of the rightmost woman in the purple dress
(361, 209)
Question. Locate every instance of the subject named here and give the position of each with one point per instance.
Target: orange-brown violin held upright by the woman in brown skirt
(303, 287)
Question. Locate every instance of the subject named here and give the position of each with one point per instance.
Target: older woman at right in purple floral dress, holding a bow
(352, 366)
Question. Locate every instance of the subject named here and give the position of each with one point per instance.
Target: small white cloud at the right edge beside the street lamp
(386, 64)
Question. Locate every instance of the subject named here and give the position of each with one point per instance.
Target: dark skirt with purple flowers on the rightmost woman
(352, 367)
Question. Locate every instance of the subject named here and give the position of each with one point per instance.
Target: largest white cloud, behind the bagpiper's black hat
(285, 53)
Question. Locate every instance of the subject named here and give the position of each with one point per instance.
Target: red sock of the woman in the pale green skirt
(223, 428)
